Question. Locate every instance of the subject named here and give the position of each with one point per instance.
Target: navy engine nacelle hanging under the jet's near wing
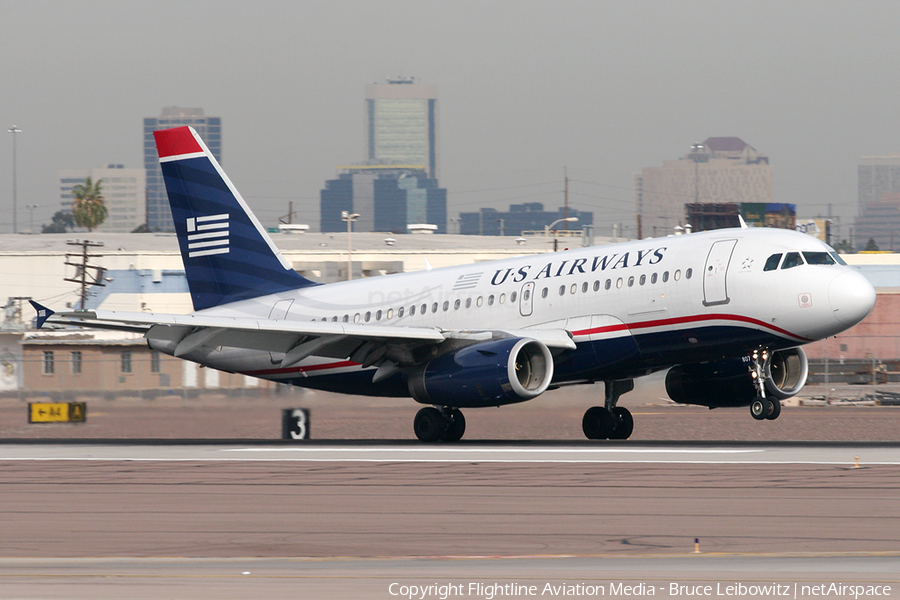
(491, 373)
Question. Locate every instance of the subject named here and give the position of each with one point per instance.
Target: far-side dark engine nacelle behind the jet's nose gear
(729, 383)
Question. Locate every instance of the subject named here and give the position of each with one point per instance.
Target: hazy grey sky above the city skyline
(526, 88)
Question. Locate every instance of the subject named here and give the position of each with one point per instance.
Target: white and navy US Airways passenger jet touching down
(726, 312)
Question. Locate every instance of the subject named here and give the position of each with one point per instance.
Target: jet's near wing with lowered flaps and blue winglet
(366, 344)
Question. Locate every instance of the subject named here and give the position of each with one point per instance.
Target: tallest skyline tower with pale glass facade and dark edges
(401, 124)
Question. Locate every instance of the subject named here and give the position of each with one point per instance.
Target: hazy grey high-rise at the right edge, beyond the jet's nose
(879, 202)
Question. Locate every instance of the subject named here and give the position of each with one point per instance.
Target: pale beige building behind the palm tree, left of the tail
(122, 189)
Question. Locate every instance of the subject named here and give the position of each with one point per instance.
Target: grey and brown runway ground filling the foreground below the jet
(233, 520)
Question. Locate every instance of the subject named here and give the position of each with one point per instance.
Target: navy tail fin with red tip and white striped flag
(227, 254)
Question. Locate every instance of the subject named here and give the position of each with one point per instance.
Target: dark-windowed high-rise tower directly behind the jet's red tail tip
(159, 215)
